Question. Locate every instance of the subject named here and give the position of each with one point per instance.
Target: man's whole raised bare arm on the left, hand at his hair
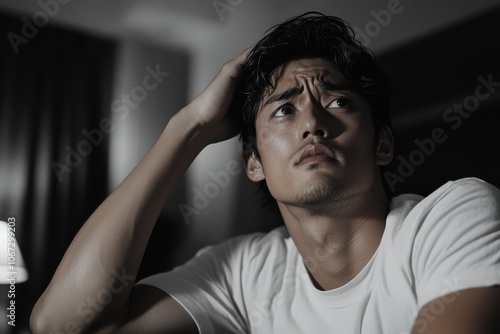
(92, 287)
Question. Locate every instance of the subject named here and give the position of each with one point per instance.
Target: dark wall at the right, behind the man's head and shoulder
(442, 87)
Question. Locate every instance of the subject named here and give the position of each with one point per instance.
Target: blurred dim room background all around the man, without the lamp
(86, 86)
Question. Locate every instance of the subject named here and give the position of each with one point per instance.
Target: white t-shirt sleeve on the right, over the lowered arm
(457, 245)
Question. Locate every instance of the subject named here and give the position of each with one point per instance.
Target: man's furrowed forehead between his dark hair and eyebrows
(310, 69)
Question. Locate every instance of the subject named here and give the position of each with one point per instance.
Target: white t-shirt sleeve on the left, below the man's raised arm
(207, 287)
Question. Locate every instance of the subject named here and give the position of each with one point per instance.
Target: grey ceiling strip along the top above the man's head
(195, 24)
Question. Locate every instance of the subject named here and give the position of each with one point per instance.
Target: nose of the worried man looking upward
(315, 121)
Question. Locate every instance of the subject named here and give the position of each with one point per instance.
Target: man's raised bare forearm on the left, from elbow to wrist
(95, 277)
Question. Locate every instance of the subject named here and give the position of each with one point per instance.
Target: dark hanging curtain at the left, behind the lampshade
(55, 96)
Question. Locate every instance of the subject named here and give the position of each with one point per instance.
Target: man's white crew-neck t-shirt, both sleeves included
(431, 248)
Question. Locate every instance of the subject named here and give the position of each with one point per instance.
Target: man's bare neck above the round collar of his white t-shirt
(336, 244)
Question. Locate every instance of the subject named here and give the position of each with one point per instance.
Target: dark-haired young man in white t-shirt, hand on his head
(349, 260)
